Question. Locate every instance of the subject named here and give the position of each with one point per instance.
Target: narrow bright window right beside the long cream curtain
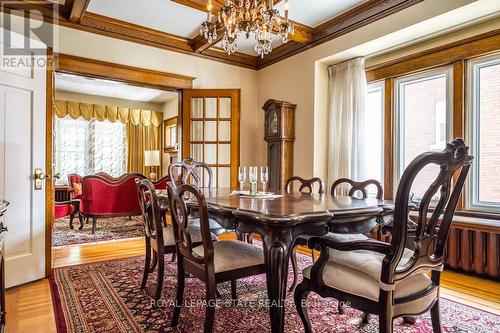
(374, 133)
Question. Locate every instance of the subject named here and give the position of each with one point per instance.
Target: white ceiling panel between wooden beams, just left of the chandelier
(162, 15)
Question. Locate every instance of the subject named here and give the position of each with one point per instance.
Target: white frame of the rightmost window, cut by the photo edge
(472, 202)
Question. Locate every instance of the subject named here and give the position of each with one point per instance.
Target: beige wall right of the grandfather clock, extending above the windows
(303, 79)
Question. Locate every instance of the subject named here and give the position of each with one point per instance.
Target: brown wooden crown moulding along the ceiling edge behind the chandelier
(74, 15)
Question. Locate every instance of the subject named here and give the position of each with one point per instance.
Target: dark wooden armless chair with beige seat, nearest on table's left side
(211, 262)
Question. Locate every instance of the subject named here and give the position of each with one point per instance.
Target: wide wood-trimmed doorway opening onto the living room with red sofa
(91, 134)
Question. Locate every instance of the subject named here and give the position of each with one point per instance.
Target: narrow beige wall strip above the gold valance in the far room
(102, 100)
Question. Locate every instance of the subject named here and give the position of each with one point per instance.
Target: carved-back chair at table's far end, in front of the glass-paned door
(188, 171)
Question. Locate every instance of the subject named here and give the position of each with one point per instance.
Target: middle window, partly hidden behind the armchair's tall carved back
(423, 121)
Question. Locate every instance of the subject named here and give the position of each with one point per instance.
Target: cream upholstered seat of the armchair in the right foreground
(358, 273)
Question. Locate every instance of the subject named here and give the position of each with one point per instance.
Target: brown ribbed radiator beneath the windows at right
(473, 247)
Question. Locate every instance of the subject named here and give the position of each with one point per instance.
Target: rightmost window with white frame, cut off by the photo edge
(484, 134)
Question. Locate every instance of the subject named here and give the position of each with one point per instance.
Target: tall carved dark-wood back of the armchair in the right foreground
(429, 239)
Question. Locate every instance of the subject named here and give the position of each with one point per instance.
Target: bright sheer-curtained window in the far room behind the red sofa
(87, 147)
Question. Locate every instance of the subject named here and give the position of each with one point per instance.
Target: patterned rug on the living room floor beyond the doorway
(107, 230)
